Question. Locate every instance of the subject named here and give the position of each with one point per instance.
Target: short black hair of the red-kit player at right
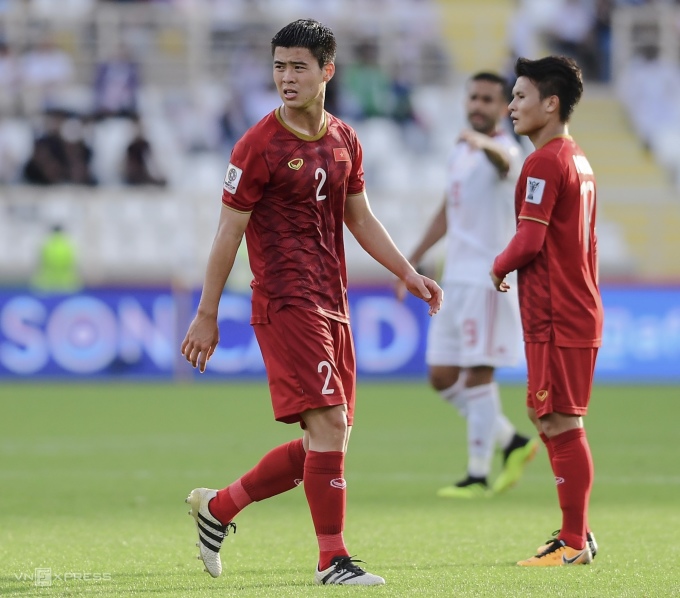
(554, 76)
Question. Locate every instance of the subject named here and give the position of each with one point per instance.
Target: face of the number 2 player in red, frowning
(299, 79)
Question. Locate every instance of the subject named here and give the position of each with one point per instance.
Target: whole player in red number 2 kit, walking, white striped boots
(292, 182)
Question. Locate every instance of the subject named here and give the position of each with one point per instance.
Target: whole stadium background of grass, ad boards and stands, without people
(104, 429)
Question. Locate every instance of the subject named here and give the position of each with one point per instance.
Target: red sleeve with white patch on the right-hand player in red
(541, 180)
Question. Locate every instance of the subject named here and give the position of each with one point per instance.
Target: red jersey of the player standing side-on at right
(558, 290)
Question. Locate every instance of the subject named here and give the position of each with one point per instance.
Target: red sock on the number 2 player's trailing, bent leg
(280, 470)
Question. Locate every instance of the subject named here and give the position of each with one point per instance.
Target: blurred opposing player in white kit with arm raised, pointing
(478, 328)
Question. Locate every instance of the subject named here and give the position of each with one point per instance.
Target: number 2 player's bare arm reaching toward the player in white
(375, 240)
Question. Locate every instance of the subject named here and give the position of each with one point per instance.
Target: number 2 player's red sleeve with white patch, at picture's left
(247, 175)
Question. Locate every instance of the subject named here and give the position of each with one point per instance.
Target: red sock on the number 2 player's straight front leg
(325, 490)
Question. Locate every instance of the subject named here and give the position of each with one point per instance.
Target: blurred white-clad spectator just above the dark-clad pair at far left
(46, 70)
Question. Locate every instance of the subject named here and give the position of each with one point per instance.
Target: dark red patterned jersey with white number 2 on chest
(295, 187)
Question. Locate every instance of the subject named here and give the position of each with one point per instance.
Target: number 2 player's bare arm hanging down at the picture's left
(203, 334)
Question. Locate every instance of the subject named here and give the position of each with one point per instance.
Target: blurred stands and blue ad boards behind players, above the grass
(142, 249)
